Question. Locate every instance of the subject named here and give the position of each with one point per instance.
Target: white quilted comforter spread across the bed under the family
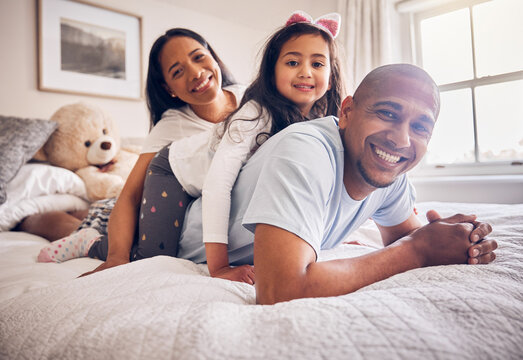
(166, 308)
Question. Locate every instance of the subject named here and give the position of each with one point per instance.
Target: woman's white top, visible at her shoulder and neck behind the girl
(180, 123)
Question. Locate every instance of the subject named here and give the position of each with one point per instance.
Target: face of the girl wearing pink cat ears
(302, 70)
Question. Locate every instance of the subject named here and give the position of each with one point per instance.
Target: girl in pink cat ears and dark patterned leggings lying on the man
(299, 79)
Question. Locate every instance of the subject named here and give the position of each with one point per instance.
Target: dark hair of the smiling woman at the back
(158, 99)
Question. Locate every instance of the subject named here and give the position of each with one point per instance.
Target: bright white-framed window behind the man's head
(474, 51)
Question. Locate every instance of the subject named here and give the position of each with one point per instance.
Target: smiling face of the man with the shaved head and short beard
(386, 128)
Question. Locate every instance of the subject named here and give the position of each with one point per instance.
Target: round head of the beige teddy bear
(85, 136)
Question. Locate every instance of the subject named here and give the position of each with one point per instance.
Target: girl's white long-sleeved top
(208, 163)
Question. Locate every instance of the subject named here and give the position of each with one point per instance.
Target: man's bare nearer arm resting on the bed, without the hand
(286, 267)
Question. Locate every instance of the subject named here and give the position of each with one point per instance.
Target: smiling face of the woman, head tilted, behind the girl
(190, 72)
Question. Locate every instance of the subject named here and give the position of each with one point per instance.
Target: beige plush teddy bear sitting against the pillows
(87, 142)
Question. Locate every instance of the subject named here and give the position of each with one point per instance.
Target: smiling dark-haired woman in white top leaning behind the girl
(188, 91)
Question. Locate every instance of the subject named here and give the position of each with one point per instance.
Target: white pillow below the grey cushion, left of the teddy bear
(39, 188)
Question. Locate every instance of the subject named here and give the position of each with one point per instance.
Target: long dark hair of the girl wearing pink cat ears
(263, 90)
